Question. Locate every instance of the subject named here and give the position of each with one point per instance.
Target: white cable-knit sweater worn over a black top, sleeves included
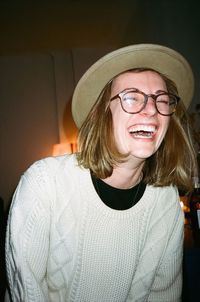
(64, 244)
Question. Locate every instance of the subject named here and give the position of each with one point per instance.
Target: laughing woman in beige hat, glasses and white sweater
(105, 224)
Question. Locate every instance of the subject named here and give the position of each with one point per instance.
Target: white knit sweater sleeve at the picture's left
(27, 238)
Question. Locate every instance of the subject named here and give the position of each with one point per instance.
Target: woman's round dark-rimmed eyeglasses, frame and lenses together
(133, 101)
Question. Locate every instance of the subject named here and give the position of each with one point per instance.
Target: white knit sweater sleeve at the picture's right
(167, 284)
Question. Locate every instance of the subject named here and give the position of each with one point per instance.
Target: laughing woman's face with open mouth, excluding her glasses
(142, 133)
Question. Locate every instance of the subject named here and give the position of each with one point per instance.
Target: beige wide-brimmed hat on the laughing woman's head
(160, 58)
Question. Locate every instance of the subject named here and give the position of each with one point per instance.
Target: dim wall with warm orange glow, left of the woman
(35, 108)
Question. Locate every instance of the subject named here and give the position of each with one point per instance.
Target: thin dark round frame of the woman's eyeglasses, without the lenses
(146, 97)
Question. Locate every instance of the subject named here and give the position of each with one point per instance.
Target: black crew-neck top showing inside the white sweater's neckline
(118, 199)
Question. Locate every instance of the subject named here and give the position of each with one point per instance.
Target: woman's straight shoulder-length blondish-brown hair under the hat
(174, 163)
